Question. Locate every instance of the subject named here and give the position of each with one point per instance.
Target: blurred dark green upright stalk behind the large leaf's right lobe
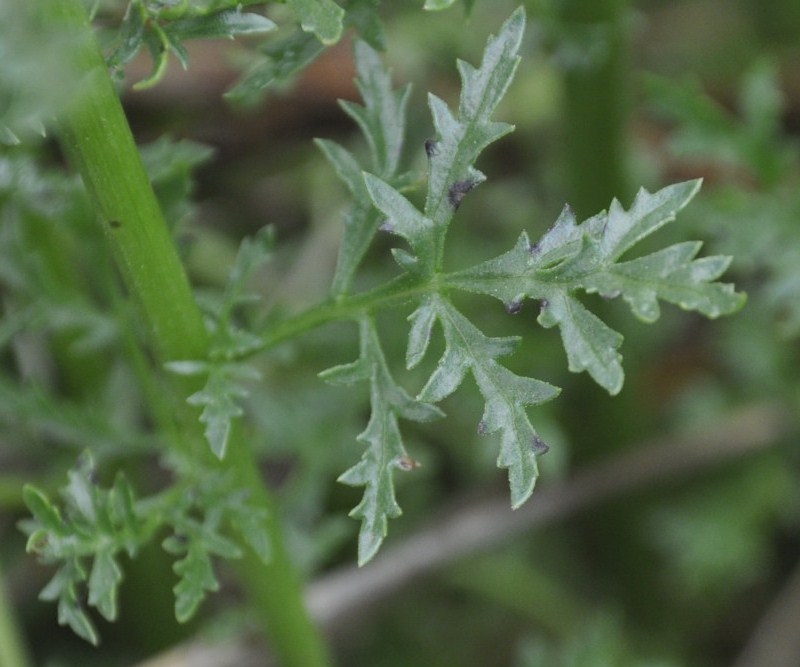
(596, 103)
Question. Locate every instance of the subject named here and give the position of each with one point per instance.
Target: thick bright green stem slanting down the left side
(99, 143)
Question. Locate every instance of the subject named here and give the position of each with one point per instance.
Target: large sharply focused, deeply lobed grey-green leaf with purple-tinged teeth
(570, 257)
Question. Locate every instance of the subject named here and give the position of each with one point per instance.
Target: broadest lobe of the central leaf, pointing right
(572, 257)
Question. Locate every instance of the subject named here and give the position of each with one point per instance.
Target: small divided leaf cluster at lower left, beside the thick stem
(86, 537)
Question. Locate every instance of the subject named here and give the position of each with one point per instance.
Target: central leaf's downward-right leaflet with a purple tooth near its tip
(506, 395)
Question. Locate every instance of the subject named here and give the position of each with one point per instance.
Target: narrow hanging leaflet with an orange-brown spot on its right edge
(385, 450)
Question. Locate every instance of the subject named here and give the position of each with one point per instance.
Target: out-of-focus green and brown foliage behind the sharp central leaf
(610, 96)
